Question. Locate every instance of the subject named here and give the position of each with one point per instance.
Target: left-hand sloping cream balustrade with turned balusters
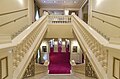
(26, 44)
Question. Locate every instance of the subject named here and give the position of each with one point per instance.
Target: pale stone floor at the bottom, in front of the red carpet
(56, 76)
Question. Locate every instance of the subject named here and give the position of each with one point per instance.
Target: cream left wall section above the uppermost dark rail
(12, 5)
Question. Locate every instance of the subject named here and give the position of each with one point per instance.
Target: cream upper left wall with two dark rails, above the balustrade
(14, 15)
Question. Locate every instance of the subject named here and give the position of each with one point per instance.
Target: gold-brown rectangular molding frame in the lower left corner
(6, 62)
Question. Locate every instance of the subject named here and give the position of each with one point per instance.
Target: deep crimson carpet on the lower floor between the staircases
(59, 62)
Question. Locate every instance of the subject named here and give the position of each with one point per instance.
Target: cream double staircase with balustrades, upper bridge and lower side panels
(16, 55)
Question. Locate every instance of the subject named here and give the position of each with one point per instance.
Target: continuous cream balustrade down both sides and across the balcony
(96, 46)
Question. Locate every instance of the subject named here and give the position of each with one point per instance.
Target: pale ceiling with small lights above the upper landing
(60, 3)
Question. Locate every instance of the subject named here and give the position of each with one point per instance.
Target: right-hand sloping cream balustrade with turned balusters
(96, 47)
